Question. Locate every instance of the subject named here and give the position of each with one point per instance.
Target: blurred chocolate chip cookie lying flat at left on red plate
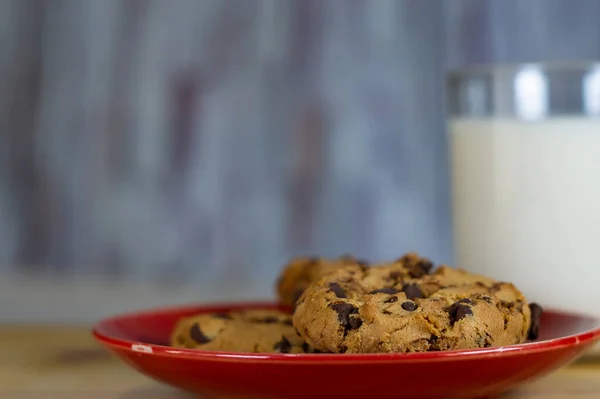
(258, 331)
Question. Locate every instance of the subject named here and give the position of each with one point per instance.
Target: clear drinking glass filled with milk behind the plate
(524, 146)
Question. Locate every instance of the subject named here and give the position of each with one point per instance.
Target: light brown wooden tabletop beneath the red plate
(47, 362)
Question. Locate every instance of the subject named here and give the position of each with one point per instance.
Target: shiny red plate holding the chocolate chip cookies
(140, 339)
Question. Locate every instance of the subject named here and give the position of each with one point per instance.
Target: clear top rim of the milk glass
(491, 68)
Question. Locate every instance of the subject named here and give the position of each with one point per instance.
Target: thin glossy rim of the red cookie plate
(149, 349)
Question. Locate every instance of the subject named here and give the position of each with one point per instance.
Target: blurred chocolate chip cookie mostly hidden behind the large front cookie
(302, 271)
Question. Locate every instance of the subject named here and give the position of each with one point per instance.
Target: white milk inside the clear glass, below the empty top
(526, 205)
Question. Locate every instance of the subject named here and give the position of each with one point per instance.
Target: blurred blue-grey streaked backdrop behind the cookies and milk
(166, 151)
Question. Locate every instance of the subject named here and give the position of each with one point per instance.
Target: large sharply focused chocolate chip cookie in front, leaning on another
(404, 307)
